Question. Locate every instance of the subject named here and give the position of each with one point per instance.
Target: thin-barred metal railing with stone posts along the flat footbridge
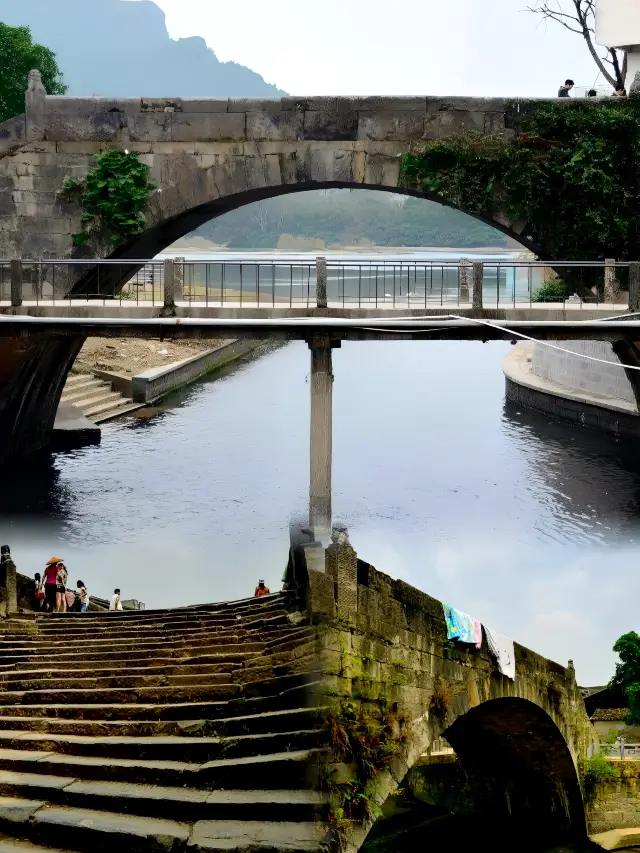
(289, 283)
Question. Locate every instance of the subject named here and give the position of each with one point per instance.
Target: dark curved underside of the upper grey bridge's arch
(167, 231)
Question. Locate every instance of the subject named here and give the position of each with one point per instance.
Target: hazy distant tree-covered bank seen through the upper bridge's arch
(349, 217)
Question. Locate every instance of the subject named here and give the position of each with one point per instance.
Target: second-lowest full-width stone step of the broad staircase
(184, 804)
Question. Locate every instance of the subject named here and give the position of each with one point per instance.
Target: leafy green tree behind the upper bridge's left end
(18, 56)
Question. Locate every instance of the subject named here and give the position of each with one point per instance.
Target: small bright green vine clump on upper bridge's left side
(113, 196)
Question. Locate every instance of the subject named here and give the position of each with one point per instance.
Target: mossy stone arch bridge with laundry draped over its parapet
(520, 742)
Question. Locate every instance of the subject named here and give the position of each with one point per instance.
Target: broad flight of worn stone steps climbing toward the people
(191, 729)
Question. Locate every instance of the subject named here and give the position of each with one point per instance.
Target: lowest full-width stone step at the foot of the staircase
(79, 829)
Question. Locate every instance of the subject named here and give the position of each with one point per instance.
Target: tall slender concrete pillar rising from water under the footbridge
(320, 449)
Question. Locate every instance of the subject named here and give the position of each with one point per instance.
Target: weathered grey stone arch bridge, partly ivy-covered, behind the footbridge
(212, 156)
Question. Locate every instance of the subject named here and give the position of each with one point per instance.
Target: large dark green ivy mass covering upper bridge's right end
(571, 177)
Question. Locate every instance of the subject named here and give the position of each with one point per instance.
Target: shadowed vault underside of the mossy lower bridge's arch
(524, 783)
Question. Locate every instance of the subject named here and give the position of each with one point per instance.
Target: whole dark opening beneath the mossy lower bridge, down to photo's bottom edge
(511, 783)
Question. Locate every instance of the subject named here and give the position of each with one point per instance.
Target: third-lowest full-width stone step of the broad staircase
(276, 771)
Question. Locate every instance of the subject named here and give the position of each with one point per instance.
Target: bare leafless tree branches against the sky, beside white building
(581, 19)
